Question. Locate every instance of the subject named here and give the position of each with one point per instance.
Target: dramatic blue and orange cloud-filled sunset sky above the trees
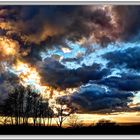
(87, 56)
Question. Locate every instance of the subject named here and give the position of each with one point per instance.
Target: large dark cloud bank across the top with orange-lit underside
(37, 26)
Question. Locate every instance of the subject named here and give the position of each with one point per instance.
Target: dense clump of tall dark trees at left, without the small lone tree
(24, 103)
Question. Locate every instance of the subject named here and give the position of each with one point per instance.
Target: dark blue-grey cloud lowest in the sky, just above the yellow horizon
(95, 98)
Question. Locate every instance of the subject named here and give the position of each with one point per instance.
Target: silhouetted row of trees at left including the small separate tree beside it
(24, 104)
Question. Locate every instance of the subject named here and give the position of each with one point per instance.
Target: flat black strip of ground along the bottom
(102, 130)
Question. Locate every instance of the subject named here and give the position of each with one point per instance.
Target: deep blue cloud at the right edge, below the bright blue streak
(128, 58)
